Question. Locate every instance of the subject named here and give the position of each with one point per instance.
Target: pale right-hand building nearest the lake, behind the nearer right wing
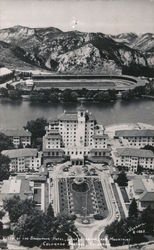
(136, 138)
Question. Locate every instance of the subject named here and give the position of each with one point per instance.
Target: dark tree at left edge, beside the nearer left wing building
(4, 167)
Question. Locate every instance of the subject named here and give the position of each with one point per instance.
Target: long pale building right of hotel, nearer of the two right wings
(131, 158)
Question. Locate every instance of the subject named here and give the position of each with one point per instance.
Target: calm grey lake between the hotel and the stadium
(15, 115)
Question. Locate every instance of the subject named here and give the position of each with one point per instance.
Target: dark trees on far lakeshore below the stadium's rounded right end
(138, 92)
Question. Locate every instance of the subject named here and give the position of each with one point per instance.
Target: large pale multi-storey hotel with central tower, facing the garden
(75, 135)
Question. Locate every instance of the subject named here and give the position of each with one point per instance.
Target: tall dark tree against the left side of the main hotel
(37, 129)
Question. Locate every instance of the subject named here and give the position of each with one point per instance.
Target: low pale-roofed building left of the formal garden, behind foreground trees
(26, 186)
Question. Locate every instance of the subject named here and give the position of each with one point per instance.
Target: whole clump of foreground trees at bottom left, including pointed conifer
(31, 224)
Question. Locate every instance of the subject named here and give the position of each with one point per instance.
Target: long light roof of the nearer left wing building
(23, 152)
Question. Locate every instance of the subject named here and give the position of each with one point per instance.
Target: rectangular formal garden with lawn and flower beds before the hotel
(83, 197)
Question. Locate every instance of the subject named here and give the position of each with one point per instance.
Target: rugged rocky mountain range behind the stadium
(74, 51)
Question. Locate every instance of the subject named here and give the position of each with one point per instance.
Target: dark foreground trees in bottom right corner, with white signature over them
(132, 229)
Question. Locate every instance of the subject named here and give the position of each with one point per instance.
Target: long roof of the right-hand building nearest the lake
(135, 133)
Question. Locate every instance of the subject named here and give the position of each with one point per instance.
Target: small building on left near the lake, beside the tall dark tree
(18, 136)
